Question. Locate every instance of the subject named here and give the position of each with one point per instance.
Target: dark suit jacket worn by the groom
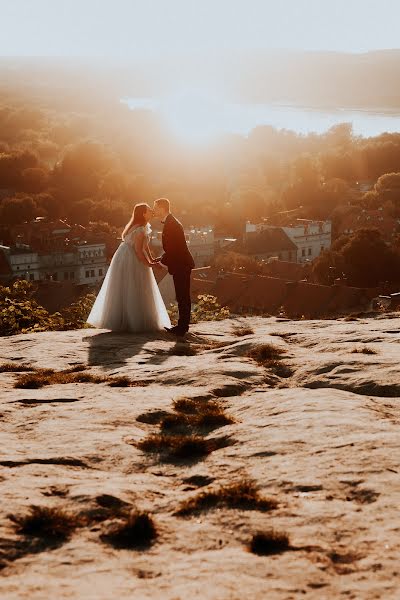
(176, 255)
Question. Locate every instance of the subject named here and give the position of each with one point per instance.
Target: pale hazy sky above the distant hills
(152, 28)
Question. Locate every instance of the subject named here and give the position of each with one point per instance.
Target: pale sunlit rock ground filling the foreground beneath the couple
(315, 428)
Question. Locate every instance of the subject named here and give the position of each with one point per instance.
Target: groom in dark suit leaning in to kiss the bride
(178, 261)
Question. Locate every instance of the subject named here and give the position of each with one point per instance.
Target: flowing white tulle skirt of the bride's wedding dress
(129, 299)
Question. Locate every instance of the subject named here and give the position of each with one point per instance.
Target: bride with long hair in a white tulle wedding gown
(129, 299)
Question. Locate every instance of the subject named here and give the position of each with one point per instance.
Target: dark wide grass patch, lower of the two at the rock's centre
(181, 447)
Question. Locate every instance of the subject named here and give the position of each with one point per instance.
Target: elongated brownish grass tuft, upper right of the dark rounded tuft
(242, 495)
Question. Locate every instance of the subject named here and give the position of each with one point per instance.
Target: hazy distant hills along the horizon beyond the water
(323, 79)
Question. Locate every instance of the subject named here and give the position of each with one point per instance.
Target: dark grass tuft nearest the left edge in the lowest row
(45, 522)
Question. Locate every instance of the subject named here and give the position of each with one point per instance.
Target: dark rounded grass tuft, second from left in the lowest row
(137, 531)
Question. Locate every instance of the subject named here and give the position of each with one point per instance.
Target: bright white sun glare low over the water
(194, 116)
